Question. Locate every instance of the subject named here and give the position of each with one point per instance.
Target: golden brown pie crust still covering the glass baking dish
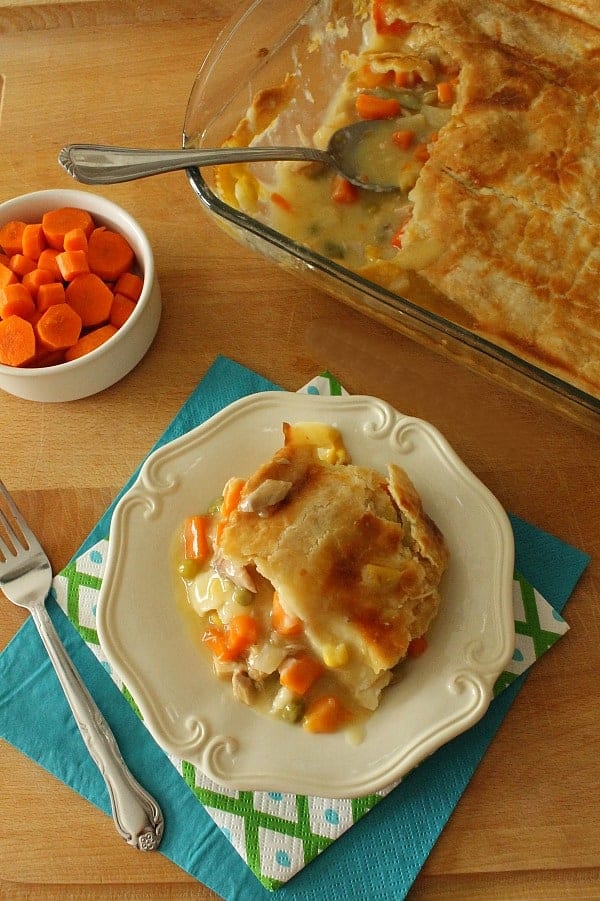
(512, 188)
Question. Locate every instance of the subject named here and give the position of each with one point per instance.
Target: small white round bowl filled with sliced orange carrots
(79, 300)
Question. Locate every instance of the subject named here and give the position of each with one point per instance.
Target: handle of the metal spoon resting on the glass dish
(97, 164)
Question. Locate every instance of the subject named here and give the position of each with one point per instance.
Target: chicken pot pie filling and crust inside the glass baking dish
(492, 109)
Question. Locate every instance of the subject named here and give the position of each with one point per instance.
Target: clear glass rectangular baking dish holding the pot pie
(267, 41)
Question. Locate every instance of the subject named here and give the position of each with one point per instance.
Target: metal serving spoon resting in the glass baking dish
(97, 164)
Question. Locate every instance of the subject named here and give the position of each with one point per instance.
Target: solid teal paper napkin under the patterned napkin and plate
(380, 855)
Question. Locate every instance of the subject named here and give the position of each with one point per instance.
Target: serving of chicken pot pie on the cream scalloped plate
(313, 579)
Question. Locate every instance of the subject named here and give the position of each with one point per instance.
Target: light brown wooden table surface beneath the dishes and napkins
(528, 825)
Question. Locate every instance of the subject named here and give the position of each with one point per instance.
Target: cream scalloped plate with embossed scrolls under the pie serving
(194, 717)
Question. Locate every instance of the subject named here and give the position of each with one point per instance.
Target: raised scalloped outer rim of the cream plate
(146, 481)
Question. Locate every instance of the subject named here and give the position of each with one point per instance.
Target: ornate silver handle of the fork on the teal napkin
(136, 814)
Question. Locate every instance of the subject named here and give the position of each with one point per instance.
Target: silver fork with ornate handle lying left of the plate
(25, 579)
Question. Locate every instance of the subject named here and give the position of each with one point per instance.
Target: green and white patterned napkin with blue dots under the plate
(278, 834)
